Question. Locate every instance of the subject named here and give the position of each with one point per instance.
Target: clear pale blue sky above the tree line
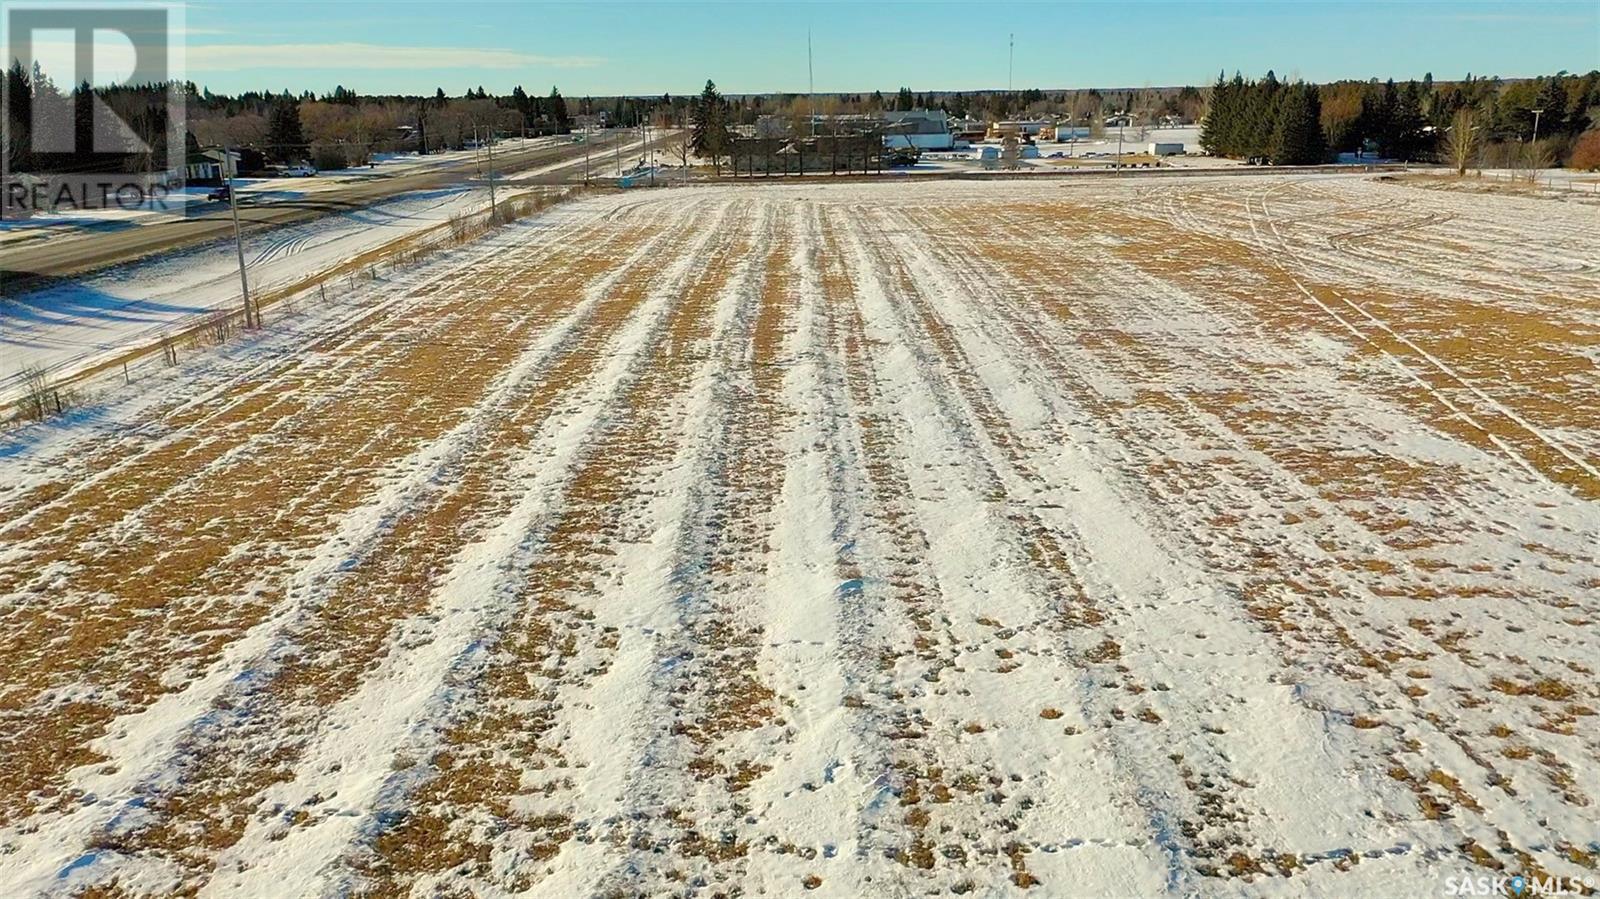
(666, 47)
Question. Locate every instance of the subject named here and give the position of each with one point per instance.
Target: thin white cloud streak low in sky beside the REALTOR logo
(244, 57)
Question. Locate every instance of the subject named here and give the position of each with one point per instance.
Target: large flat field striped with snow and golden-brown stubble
(1225, 537)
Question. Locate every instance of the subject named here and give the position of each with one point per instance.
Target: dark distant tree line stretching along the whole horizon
(1271, 119)
